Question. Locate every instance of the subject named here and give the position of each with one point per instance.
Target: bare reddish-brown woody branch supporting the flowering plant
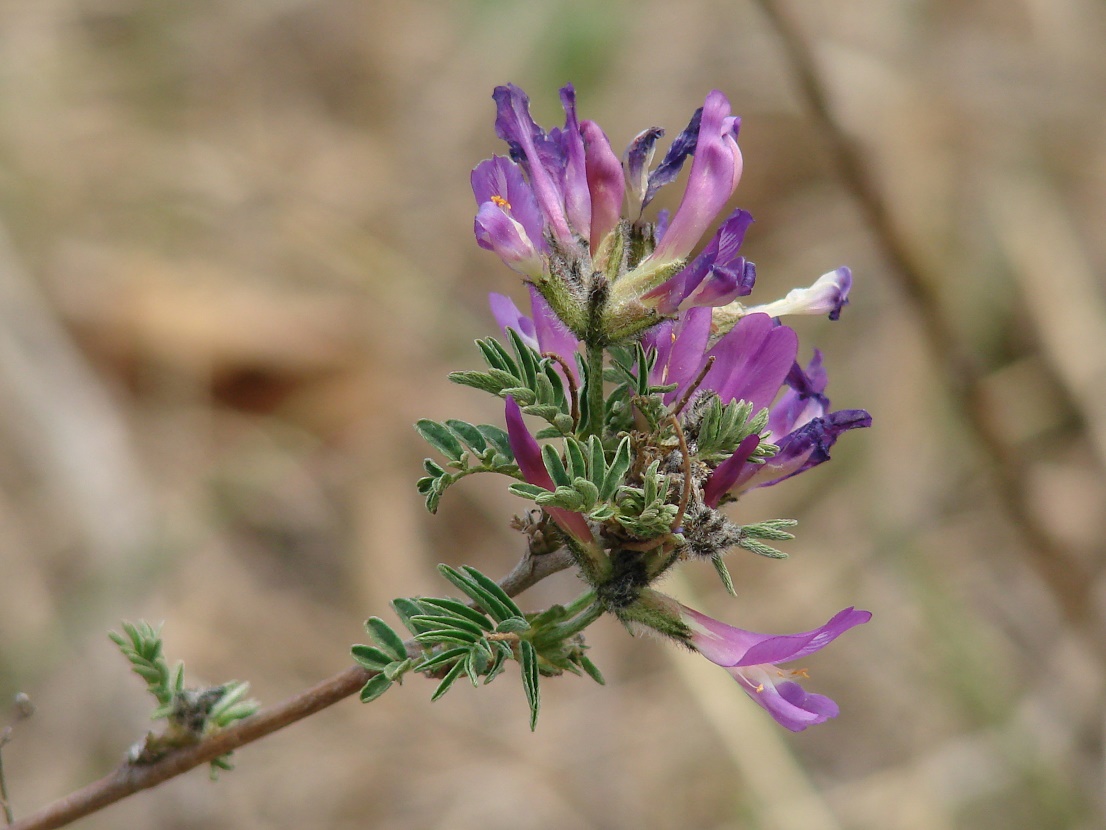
(132, 779)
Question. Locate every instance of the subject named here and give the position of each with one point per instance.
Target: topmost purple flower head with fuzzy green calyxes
(549, 209)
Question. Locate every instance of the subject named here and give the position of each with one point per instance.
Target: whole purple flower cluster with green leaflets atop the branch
(665, 398)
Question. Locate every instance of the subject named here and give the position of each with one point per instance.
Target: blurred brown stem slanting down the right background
(1066, 575)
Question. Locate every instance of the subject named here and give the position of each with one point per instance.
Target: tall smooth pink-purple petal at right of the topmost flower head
(715, 173)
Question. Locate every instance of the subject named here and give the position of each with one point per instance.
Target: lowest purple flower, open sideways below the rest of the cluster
(754, 661)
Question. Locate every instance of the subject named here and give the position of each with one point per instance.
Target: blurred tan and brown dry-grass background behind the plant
(237, 264)
